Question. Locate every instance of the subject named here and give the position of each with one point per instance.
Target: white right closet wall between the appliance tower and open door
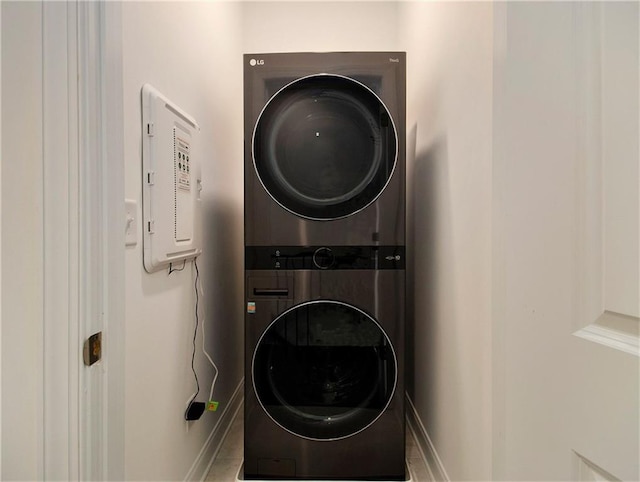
(450, 52)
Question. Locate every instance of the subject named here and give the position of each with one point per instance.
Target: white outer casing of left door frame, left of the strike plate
(60, 314)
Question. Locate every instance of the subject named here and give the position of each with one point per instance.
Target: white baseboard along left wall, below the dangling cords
(211, 447)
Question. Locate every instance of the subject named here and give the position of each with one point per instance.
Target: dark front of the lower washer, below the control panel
(324, 364)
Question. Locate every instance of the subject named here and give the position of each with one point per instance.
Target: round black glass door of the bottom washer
(324, 370)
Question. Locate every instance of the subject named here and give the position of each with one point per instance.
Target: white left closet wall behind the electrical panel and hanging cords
(190, 51)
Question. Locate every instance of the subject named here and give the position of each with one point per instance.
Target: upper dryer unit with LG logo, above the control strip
(324, 149)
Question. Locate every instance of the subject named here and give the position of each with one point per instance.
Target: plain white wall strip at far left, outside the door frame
(22, 234)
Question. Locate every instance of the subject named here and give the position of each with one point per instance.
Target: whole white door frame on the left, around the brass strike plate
(83, 433)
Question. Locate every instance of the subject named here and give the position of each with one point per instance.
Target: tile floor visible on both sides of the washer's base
(227, 464)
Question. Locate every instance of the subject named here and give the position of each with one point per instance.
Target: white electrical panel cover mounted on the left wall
(171, 183)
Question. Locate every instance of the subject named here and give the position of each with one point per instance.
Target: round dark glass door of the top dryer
(324, 147)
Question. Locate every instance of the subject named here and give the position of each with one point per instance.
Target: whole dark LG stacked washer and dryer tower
(324, 266)
